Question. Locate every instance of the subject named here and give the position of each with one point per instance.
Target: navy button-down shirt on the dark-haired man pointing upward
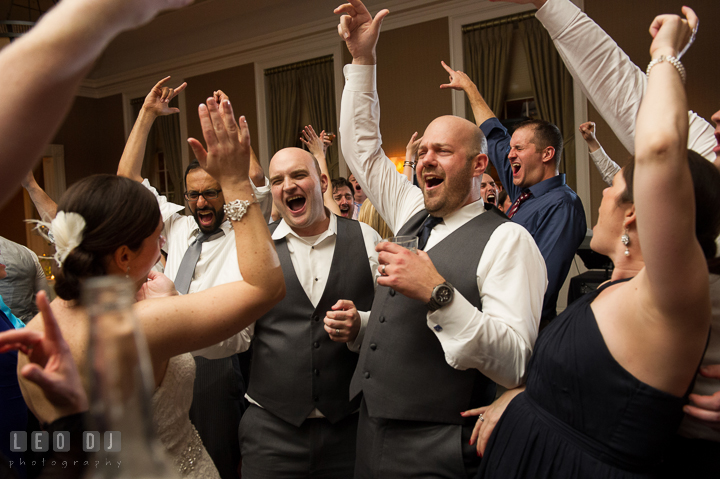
(553, 214)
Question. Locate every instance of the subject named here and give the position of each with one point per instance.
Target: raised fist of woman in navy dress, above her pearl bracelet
(672, 34)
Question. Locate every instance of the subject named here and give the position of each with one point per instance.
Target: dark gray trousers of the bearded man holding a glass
(390, 448)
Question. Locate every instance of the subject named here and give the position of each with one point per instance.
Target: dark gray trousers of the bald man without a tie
(274, 449)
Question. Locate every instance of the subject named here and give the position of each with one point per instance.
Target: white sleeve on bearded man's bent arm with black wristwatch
(499, 339)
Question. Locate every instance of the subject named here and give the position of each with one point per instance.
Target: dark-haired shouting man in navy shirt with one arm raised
(528, 167)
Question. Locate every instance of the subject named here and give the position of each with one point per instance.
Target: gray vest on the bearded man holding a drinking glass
(402, 371)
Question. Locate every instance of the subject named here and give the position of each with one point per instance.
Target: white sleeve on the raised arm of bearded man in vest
(394, 198)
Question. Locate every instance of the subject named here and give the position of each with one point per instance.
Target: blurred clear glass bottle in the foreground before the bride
(121, 385)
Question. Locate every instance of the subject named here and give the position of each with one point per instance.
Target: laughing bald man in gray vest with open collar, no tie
(302, 422)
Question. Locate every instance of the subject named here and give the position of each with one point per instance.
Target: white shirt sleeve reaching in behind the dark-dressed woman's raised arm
(599, 65)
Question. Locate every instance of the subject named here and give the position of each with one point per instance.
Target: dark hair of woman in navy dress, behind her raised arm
(706, 183)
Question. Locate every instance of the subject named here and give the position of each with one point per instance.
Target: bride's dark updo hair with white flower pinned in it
(117, 212)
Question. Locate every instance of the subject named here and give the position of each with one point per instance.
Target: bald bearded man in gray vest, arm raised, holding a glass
(449, 322)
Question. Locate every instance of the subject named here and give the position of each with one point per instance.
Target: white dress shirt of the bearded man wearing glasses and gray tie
(218, 258)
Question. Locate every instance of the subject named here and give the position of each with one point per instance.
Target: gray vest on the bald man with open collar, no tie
(296, 367)
